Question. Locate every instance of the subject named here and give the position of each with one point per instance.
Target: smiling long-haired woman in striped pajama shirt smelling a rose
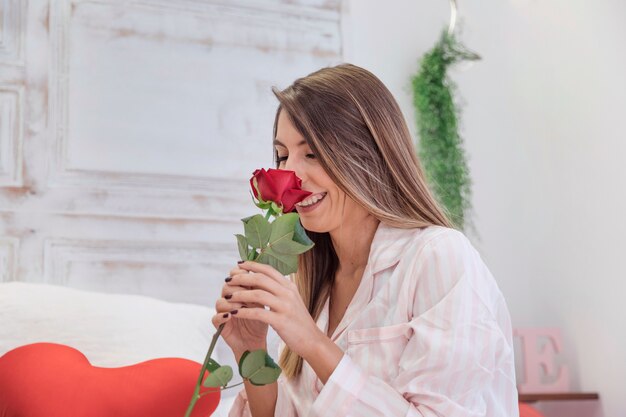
(393, 312)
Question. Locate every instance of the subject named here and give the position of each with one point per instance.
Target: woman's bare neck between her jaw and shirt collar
(352, 241)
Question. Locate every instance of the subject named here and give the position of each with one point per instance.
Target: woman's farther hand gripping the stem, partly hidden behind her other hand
(240, 335)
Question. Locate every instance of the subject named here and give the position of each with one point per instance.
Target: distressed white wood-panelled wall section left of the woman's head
(129, 130)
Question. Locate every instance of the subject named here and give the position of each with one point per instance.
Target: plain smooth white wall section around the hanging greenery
(543, 127)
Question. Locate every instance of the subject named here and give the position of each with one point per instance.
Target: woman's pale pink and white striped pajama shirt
(427, 333)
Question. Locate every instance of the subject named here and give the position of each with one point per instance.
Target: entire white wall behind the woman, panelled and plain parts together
(101, 100)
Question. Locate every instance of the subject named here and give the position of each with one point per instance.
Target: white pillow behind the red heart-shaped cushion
(112, 330)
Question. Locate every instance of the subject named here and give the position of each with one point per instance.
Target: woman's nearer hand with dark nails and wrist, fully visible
(287, 314)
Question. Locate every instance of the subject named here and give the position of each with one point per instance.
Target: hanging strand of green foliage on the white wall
(440, 146)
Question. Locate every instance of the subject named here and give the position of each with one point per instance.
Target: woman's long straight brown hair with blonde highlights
(355, 128)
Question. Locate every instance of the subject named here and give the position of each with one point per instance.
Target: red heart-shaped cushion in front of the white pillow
(51, 380)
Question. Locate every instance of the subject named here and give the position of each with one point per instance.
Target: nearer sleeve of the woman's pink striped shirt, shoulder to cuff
(458, 360)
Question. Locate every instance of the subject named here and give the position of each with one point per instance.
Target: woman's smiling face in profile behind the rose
(294, 154)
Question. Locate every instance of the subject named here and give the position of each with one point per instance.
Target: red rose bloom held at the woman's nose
(280, 186)
